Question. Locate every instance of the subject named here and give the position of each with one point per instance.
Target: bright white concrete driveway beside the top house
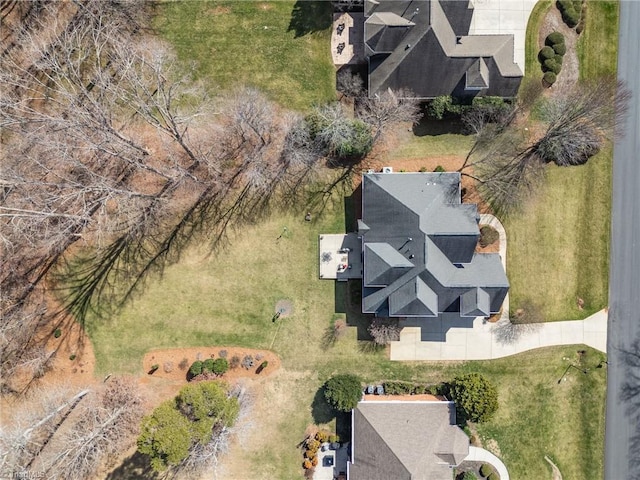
(492, 17)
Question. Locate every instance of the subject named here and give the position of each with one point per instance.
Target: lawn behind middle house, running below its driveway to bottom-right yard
(229, 299)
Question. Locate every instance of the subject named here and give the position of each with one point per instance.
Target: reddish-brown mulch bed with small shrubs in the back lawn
(174, 363)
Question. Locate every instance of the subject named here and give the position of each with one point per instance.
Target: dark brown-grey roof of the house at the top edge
(424, 46)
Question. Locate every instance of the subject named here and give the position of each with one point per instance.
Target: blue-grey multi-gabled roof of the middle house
(418, 244)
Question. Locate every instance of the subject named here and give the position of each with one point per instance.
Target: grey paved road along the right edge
(622, 437)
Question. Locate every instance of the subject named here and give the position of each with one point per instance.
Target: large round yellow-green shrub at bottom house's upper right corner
(475, 397)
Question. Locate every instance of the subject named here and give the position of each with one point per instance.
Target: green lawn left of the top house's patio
(281, 48)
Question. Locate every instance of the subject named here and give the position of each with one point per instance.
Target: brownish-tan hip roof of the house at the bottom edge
(405, 440)
